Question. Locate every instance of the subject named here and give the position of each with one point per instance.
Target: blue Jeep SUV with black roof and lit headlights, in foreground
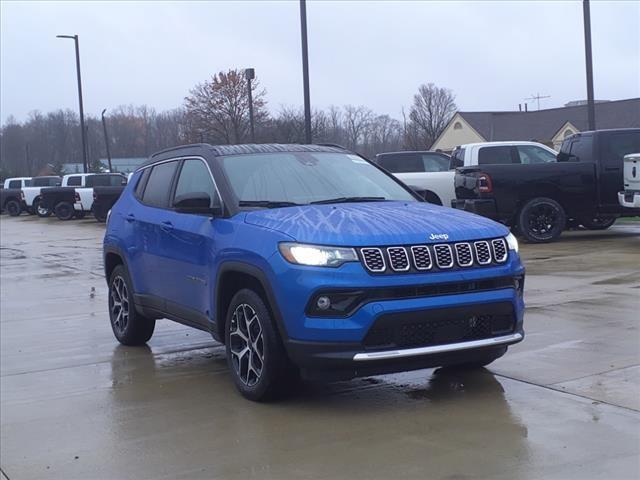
(307, 259)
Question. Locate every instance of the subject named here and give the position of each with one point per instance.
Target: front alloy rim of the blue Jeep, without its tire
(246, 344)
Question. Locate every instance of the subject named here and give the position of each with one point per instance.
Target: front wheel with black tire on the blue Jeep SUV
(270, 368)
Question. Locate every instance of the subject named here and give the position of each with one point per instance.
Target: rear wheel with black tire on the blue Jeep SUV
(129, 327)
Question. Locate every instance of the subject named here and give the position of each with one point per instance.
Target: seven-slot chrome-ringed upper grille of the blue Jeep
(443, 256)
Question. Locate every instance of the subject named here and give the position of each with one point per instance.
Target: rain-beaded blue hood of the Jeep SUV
(375, 223)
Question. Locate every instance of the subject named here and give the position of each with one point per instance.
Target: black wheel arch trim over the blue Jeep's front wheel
(233, 276)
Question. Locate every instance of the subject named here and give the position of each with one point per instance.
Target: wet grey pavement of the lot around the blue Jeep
(563, 404)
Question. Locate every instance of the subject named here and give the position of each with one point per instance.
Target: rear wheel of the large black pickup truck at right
(541, 220)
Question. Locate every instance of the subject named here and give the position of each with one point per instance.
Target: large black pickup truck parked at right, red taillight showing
(540, 200)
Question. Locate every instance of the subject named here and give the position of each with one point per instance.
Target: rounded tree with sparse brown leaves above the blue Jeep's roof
(219, 109)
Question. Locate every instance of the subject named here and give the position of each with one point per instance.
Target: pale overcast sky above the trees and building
(491, 54)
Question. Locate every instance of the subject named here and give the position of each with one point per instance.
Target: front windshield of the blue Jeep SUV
(306, 177)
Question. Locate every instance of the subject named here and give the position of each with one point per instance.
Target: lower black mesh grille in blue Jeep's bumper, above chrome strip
(438, 327)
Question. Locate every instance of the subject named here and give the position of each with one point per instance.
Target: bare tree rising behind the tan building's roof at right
(430, 112)
